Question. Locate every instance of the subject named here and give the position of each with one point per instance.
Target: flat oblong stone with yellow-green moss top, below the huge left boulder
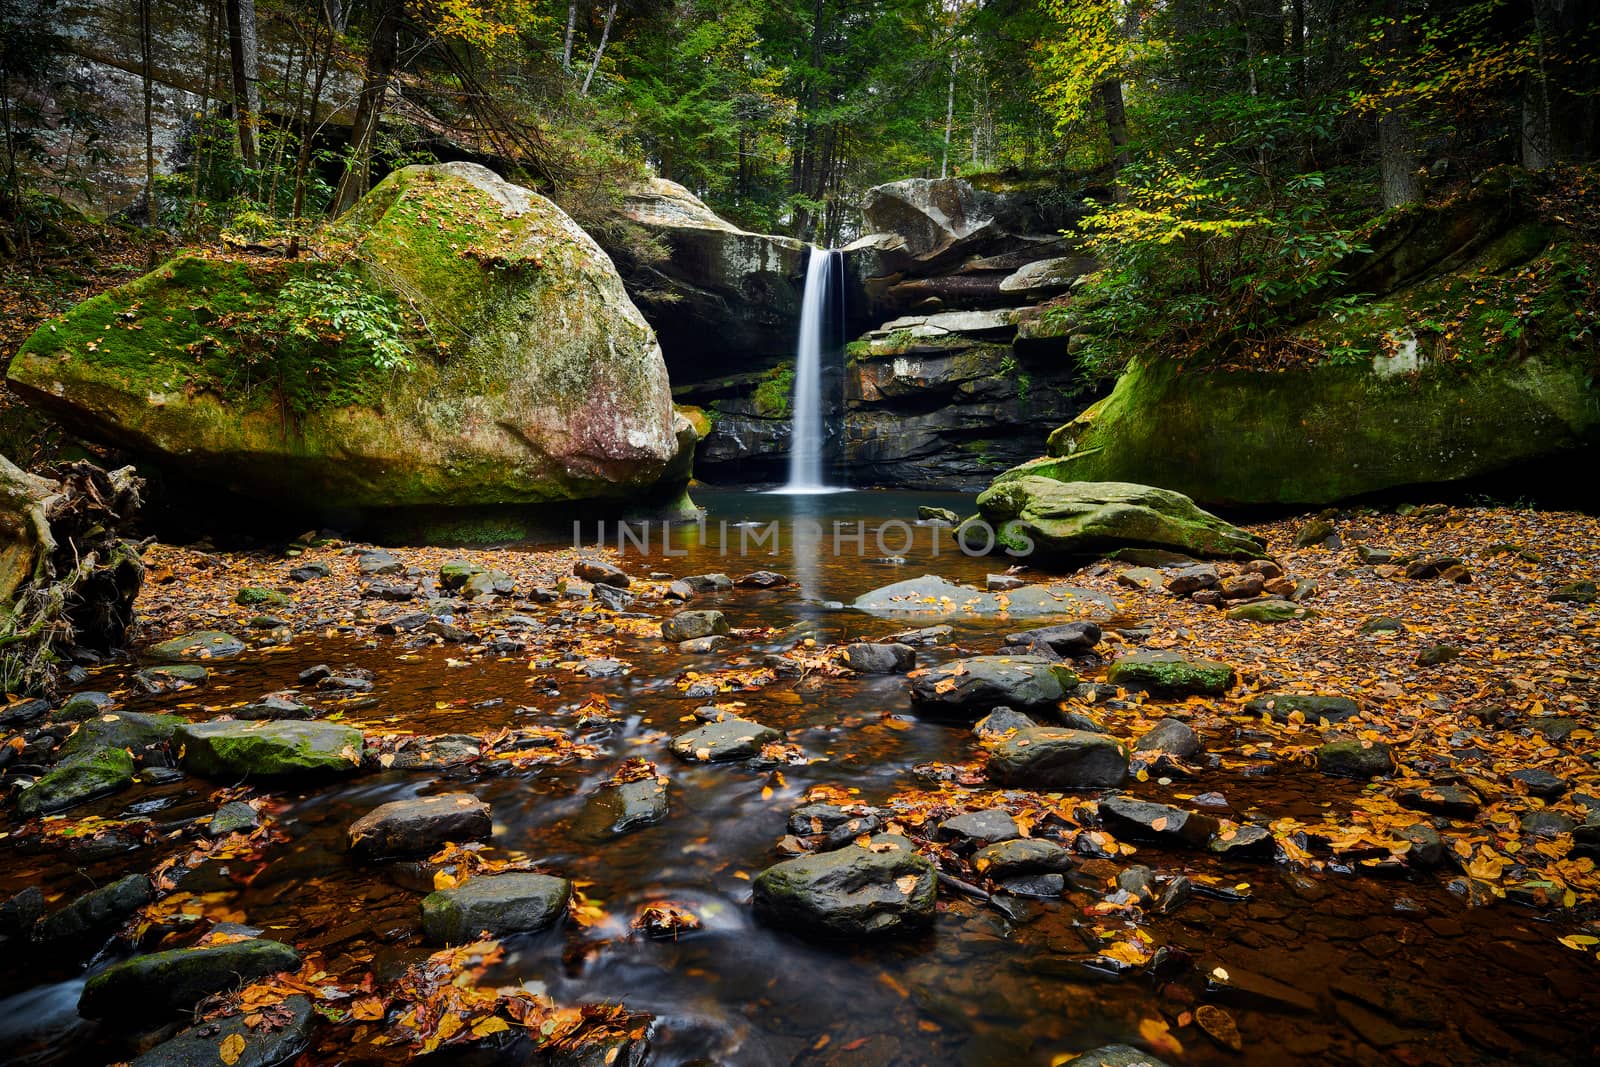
(268, 749)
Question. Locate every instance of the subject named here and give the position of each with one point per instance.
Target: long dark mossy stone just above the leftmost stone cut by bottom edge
(162, 983)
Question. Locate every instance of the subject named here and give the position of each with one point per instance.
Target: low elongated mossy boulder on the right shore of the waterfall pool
(1065, 519)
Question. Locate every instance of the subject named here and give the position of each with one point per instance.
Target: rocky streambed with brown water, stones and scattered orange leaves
(370, 805)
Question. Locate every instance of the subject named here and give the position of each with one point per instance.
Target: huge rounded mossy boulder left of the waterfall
(535, 380)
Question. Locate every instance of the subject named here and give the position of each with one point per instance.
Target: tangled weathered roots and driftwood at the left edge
(68, 575)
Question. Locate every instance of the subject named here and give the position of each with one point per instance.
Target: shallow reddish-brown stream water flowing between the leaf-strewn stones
(1353, 970)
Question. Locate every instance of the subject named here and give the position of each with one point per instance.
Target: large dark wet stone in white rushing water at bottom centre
(878, 890)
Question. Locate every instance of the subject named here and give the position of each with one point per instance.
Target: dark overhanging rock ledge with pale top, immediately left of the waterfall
(722, 295)
